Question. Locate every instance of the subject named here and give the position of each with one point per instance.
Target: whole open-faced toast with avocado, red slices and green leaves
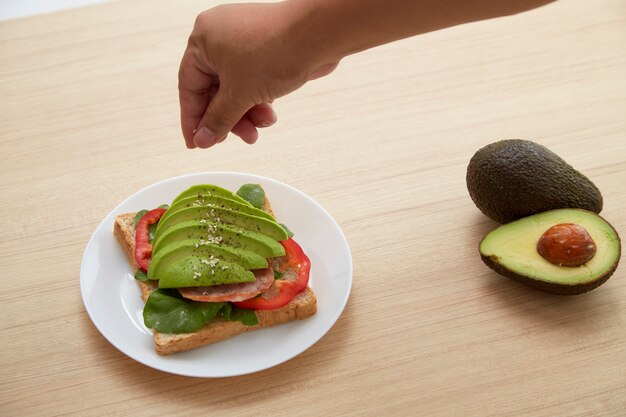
(214, 264)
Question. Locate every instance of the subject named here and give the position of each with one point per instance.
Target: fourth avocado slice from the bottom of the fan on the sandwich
(222, 215)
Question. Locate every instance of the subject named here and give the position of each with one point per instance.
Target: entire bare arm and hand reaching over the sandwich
(241, 57)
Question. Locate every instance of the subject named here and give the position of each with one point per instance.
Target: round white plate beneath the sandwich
(112, 300)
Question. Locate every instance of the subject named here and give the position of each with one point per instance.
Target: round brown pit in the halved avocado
(566, 244)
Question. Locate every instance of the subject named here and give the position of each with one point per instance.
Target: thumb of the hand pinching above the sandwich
(222, 114)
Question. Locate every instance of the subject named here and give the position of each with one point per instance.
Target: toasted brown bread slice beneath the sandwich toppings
(302, 306)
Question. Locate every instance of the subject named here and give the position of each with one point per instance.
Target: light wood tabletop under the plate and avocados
(89, 115)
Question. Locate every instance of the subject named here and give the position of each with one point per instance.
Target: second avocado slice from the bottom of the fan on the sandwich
(191, 247)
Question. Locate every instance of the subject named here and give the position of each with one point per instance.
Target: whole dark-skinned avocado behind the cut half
(515, 178)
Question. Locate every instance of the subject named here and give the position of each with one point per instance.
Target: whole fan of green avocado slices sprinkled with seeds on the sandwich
(211, 236)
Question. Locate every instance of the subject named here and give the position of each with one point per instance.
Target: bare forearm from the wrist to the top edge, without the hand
(337, 28)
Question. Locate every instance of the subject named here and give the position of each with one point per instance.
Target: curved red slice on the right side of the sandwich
(283, 291)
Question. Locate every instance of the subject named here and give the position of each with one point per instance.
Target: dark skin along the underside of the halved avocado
(550, 287)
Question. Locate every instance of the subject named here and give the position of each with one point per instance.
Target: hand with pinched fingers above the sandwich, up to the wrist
(240, 58)
